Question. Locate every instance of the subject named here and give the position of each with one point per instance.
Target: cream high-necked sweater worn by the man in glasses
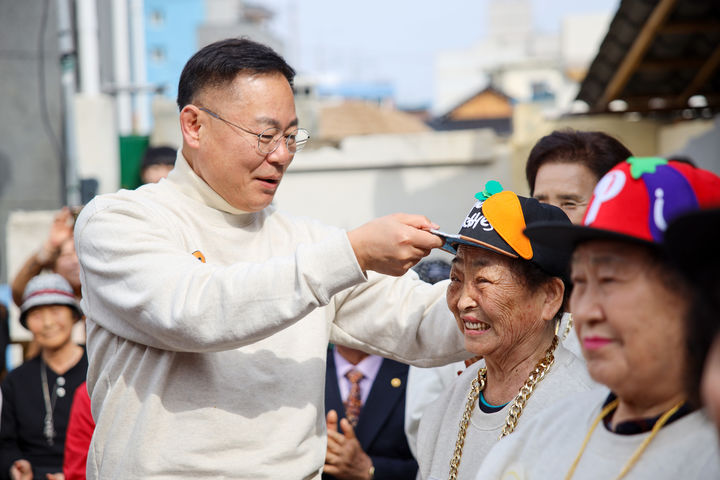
(216, 369)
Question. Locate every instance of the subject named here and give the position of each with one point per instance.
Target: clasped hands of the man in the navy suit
(345, 458)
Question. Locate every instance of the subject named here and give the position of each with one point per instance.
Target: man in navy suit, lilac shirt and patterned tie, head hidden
(376, 447)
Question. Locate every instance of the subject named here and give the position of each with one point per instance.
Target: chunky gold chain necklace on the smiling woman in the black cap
(516, 409)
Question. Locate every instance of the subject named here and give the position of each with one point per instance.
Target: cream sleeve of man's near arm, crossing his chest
(141, 284)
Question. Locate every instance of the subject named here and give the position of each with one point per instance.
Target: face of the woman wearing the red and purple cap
(630, 324)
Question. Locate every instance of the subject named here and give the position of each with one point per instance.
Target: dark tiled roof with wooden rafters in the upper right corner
(656, 55)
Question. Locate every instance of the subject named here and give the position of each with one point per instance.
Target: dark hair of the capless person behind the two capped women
(598, 151)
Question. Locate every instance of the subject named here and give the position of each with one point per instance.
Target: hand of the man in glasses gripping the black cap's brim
(394, 243)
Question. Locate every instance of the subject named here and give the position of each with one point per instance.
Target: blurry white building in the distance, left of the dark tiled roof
(522, 63)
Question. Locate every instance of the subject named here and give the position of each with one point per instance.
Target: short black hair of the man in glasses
(219, 63)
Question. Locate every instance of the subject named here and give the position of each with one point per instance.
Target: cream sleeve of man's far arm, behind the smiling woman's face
(402, 318)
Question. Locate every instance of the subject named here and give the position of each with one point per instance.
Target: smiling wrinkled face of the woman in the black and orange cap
(493, 308)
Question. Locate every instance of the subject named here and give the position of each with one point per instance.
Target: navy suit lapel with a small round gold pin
(381, 401)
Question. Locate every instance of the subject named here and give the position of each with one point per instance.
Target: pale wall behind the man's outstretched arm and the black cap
(434, 174)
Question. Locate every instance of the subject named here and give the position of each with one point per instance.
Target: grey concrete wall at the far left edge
(30, 167)
